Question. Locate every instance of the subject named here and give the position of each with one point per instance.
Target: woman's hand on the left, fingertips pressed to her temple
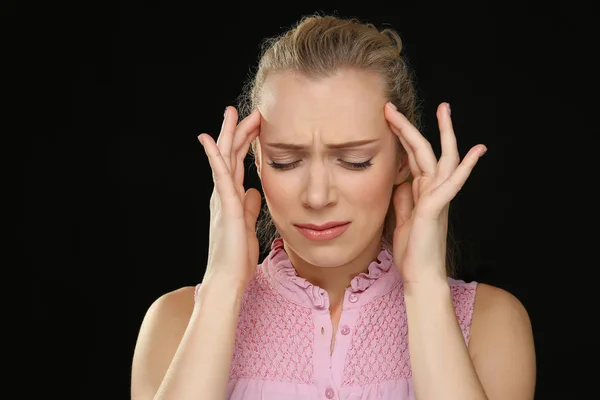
(233, 246)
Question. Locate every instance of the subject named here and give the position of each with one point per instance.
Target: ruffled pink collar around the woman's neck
(380, 276)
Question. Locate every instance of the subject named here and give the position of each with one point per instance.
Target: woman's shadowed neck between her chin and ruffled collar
(335, 280)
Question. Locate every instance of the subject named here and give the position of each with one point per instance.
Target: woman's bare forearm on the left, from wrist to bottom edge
(202, 363)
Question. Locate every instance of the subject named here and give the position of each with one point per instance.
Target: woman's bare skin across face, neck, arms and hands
(178, 333)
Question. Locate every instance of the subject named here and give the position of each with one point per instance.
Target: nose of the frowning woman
(319, 191)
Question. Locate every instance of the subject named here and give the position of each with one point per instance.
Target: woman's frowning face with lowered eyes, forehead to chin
(327, 155)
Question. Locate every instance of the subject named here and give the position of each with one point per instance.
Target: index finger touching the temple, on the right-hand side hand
(420, 146)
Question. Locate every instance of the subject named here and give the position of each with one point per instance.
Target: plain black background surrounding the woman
(116, 186)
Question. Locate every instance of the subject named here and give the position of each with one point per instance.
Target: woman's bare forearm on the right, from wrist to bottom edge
(440, 361)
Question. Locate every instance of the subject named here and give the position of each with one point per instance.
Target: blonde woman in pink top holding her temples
(355, 299)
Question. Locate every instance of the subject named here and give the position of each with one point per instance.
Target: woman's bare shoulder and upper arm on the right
(501, 342)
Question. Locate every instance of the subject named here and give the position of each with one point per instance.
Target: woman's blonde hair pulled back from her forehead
(319, 46)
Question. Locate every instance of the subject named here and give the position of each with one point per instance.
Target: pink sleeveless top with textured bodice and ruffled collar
(283, 339)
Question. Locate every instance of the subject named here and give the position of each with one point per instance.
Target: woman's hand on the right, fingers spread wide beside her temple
(421, 207)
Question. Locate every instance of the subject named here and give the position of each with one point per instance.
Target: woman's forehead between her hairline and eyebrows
(347, 105)
